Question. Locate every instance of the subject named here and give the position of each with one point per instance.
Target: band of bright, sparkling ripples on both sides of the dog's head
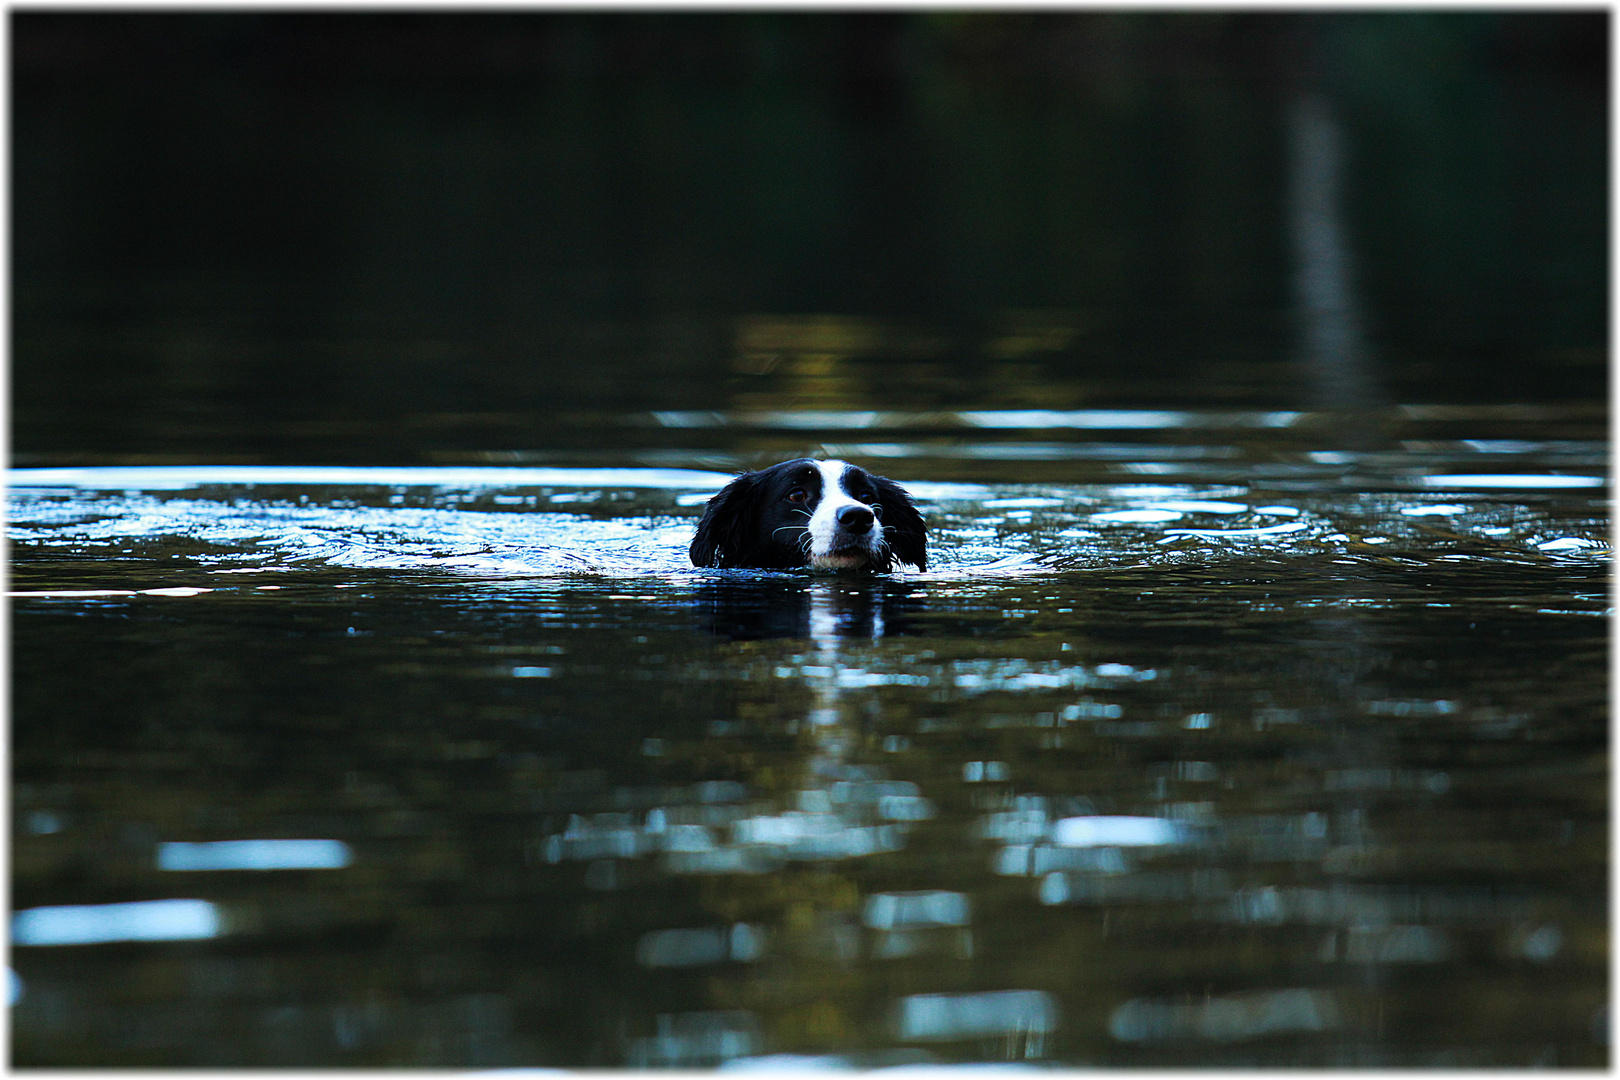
(628, 522)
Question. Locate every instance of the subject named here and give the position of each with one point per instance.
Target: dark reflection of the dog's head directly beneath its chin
(824, 611)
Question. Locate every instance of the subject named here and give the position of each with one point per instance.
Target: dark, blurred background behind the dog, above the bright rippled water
(393, 237)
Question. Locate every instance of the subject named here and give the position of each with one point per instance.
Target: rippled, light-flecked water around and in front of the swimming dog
(1143, 773)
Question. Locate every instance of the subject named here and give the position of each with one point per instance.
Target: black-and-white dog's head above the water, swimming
(825, 516)
